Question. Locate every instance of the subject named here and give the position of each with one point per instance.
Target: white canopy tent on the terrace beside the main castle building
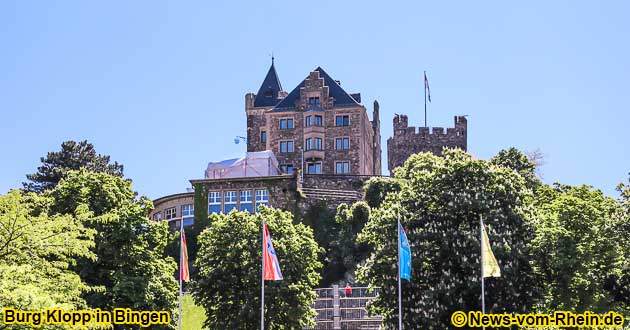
(254, 164)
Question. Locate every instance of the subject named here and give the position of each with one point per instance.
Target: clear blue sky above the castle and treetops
(160, 86)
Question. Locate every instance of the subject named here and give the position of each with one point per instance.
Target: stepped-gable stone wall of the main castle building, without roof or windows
(360, 132)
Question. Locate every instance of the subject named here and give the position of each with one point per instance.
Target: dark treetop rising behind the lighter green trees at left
(73, 156)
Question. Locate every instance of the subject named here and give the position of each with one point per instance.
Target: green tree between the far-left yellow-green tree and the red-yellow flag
(130, 269)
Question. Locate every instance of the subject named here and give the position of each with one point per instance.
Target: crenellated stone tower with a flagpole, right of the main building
(407, 140)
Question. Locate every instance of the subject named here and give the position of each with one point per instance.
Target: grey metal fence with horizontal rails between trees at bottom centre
(335, 310)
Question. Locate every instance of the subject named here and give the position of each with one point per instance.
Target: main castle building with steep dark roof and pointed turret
(314, 109)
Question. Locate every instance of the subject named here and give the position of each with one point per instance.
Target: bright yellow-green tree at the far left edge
(36, 251)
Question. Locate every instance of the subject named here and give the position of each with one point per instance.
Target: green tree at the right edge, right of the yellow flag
(579, 240)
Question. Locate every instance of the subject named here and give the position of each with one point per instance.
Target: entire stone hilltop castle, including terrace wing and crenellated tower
(311, 144)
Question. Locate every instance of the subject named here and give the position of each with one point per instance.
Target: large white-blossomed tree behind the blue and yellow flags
(440, 203)
